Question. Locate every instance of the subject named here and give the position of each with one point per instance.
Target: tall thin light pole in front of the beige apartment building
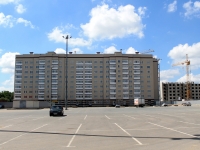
(66, 95)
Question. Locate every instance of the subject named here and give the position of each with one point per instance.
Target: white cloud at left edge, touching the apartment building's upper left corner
(7, 62)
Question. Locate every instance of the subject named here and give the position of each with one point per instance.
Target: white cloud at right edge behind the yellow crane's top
(178, 54)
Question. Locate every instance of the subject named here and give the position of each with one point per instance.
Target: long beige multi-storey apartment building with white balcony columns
(96, 79)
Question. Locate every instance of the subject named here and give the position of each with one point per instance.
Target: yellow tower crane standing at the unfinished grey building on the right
(187, 63)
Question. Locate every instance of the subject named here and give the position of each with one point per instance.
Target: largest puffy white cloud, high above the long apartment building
(109, 23)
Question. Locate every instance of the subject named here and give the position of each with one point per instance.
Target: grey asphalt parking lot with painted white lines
(127, 128)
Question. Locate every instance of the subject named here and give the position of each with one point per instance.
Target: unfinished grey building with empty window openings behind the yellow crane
(171, 91)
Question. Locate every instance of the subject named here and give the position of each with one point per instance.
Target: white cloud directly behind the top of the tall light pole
(57, 34)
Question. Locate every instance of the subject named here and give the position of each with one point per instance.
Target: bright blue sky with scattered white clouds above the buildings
(169, 27)
